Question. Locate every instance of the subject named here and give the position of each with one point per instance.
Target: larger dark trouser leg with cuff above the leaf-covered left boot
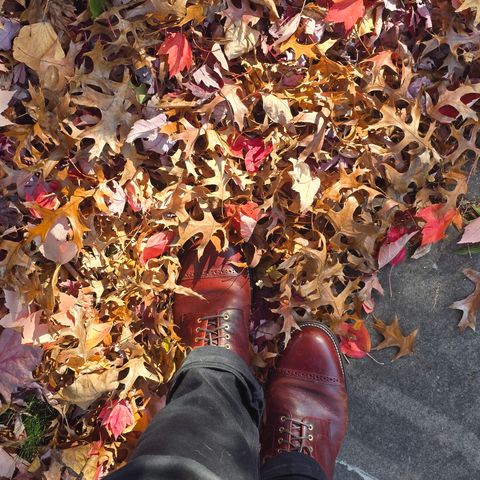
(209, 427)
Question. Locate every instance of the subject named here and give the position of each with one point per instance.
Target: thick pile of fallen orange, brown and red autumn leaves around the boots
(323, 137)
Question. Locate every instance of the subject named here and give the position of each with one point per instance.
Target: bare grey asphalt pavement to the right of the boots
(419, 418)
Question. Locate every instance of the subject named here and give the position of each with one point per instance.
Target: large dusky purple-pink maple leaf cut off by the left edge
(16, 363)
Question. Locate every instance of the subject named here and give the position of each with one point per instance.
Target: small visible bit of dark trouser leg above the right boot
(292, 466)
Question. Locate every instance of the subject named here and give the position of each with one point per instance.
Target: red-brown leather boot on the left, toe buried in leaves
(227, 293)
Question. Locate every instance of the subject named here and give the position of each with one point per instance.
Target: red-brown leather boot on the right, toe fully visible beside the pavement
(307, 385)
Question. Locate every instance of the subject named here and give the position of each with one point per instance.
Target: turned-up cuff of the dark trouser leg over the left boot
(222, 359)
